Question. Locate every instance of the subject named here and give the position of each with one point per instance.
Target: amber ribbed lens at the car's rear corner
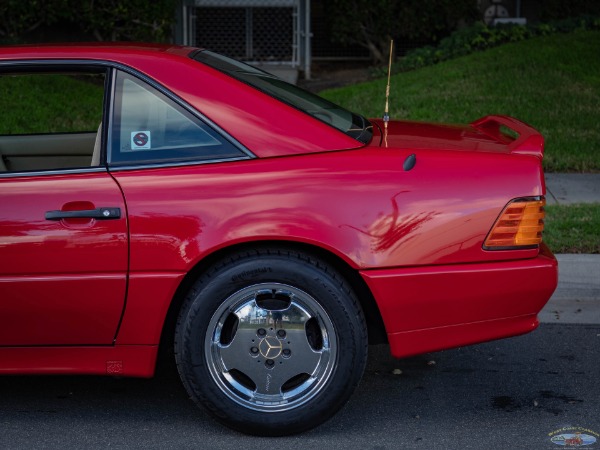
(520, 225)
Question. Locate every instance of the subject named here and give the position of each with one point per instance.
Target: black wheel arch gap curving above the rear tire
(375, 325)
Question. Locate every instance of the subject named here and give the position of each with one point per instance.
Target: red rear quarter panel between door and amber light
(359, 204)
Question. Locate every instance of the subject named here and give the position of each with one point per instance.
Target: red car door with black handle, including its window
(63, 225)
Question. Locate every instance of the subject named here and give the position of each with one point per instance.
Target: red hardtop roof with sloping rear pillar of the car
(263, 124)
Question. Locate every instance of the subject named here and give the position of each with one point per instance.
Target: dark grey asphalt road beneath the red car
(506, 394)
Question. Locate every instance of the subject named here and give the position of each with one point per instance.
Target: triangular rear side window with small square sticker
(150, 127)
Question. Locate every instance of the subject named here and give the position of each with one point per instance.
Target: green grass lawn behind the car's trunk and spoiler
(552, 83)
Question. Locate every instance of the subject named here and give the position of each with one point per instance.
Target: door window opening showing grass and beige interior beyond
(49, 120)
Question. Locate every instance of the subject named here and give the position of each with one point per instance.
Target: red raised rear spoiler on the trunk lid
(529, 141)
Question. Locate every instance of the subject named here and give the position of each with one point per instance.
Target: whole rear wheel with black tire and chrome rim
(271, 342)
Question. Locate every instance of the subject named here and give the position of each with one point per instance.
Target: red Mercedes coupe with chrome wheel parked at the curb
(164, 196)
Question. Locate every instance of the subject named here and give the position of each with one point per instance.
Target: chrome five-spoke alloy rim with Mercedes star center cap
(271, 347)
